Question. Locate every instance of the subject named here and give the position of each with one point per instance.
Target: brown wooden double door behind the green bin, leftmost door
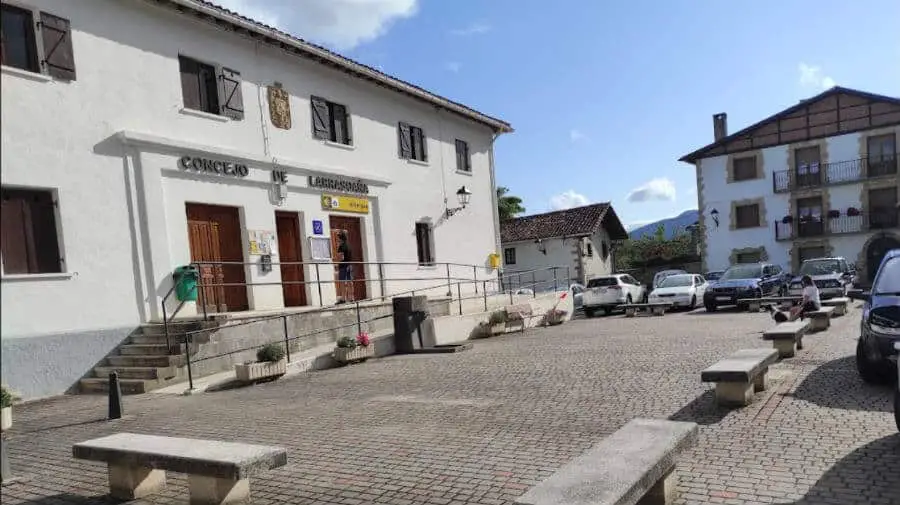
(215, 236)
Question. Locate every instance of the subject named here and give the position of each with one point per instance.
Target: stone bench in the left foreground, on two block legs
(218, 472)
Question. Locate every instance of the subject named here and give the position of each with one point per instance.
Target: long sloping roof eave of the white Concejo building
(497, 125)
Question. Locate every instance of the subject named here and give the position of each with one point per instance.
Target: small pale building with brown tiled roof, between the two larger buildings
(556, 248)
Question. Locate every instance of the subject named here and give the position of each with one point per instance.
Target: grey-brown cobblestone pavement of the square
(482, 426)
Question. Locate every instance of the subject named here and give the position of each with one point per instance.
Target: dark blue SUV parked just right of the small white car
(746, 280)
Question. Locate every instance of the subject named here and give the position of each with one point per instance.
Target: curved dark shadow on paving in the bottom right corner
(867, 475)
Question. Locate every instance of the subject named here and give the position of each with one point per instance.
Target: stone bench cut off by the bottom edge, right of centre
(636, 464)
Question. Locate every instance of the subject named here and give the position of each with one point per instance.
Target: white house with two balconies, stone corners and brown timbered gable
(817, 179)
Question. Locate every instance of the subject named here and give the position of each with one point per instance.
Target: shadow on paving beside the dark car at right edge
(836, 384)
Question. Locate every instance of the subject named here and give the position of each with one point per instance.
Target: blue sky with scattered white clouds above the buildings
(606, 96)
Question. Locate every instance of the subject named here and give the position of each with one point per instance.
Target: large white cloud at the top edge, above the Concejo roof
(342, 24)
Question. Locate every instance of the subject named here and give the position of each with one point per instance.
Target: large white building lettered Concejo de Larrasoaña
(139, 136)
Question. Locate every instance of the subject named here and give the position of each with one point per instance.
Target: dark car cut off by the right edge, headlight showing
(876, 354)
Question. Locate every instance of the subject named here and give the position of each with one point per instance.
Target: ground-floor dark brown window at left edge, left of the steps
(28, 236)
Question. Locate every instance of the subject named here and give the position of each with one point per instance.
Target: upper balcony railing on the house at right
(840, 172)
